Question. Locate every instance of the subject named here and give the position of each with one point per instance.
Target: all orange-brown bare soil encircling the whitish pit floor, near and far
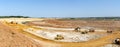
(11, 36)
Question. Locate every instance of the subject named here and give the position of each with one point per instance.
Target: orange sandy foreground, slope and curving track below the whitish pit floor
(12, 36)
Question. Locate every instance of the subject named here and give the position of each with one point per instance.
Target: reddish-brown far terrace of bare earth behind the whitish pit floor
(111, 25)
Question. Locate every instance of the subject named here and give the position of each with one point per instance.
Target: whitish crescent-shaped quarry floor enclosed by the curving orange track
(68, 35)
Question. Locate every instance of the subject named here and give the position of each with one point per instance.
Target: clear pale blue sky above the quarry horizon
(60, 8)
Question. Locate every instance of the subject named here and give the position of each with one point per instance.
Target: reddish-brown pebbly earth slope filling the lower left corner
(11, 38)
